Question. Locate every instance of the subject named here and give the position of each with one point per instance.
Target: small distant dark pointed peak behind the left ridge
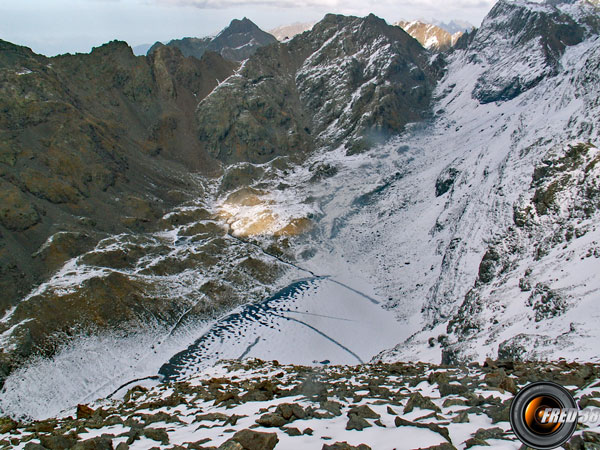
(236, 42)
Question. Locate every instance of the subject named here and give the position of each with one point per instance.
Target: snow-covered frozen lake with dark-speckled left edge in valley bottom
(312, 321)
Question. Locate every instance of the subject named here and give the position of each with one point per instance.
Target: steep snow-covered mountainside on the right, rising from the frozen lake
(421, 220)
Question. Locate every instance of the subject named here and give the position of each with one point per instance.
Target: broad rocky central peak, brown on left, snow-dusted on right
(349, 81)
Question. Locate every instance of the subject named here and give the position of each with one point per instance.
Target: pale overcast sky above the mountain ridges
(60, 26)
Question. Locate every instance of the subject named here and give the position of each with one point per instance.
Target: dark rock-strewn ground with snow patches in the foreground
(254, 405)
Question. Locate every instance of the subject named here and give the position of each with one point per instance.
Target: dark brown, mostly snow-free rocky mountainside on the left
(92, 146)
